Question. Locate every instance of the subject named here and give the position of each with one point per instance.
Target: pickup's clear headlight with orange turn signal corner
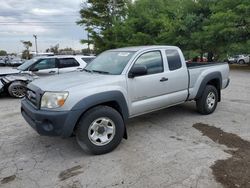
(53, 99)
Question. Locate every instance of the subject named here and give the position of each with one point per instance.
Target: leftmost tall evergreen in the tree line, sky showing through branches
(99, 18)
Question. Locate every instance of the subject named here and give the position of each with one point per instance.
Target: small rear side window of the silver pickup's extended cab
(174, 60)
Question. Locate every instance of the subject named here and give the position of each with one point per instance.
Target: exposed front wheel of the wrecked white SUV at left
(17, 89)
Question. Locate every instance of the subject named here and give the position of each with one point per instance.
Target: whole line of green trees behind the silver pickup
(217, 28)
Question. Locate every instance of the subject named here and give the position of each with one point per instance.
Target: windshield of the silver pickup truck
(110, 62)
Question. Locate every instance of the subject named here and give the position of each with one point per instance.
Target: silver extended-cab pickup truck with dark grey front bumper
(117, 85)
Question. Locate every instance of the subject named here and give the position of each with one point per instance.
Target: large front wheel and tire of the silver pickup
(100, 130)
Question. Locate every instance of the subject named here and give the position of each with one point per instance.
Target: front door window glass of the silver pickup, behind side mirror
(152, 61)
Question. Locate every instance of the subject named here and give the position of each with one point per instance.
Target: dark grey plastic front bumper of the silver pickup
(49, 123)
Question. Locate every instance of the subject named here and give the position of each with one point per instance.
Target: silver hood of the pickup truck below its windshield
(68, 80)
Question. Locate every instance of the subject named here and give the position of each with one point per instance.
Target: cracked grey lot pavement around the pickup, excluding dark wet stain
(163, 148)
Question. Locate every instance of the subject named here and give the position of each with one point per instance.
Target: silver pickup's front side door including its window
(144, 90)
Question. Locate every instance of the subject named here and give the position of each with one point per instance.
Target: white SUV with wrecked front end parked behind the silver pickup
(15, 81)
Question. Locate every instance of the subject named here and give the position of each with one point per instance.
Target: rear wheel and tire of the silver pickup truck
(207, 103)
